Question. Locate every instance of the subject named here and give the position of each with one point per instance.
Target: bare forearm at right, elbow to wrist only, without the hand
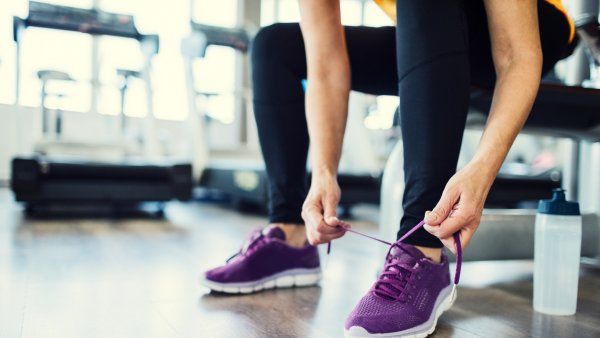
(514, 94)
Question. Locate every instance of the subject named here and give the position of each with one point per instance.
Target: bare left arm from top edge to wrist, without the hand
(328, 82)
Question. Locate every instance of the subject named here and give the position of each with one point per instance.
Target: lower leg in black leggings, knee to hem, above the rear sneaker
(278, 66)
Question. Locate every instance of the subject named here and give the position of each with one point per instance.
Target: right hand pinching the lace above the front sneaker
(460, 206)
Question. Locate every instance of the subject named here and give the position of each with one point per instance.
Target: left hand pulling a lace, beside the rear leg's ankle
(319, 210)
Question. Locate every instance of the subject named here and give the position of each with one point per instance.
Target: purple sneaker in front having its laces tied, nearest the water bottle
(406, 300)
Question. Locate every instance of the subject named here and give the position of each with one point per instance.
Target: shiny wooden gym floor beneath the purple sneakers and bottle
(138, 278)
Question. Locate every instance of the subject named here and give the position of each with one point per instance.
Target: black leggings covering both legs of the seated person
(438, 50)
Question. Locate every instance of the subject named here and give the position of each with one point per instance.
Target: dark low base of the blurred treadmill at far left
(49, 187)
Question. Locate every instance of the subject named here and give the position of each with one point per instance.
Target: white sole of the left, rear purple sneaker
(285, 279)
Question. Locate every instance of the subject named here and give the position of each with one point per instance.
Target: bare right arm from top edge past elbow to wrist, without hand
(517, 55)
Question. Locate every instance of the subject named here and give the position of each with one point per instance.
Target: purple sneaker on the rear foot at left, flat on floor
(265, 261)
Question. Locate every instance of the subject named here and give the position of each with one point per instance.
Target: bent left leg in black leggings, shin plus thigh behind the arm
(278, 67)
